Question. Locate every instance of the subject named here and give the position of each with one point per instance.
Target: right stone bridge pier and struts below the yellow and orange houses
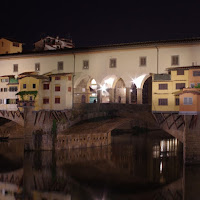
(186, 128)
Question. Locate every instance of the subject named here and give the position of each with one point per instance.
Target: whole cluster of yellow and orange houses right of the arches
(177, 91)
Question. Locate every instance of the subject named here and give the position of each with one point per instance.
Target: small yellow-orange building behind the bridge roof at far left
(9, 46)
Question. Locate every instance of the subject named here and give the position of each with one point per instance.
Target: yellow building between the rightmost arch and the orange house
(165, 87)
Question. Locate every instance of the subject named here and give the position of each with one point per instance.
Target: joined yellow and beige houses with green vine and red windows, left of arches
(52, 91)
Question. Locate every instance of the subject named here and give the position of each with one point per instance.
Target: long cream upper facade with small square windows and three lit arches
(121, 73)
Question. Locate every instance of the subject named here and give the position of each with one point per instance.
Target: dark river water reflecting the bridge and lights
(136, 166)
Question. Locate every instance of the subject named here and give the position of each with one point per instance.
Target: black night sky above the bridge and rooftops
(99, 22)
